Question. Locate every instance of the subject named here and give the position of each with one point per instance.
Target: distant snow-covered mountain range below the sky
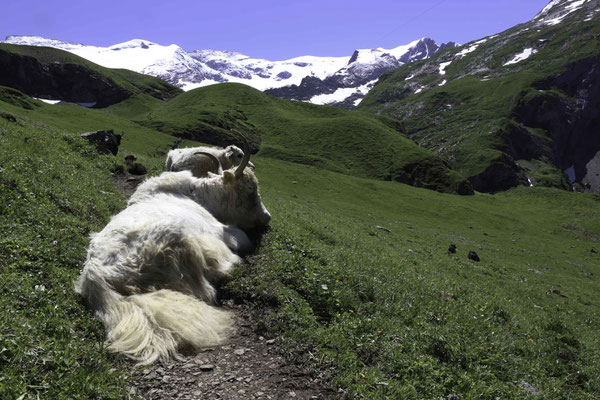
(321, 80)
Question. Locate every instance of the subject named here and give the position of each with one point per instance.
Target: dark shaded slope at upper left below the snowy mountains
(58, 75)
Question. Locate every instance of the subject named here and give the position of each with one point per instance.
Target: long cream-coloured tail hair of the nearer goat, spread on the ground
(153, 326)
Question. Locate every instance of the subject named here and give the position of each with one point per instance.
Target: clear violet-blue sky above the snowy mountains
(271, 29)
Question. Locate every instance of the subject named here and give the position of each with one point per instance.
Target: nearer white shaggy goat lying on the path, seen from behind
(149, 273)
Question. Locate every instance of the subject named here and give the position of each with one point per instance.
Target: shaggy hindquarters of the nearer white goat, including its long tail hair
(153, 298)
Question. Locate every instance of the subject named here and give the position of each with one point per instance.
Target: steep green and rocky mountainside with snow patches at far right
(519, 107)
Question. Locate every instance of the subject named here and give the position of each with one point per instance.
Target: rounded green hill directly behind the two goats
(339, 140)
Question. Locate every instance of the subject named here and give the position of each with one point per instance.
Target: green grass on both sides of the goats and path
(384, 312)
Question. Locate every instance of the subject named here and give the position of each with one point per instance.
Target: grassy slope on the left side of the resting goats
(54, 191)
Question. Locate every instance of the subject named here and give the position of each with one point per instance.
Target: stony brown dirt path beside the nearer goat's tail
(247, 367)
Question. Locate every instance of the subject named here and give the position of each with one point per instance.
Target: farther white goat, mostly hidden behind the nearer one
(195, 159)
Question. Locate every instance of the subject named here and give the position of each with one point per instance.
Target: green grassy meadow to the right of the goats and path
(394, 315)
